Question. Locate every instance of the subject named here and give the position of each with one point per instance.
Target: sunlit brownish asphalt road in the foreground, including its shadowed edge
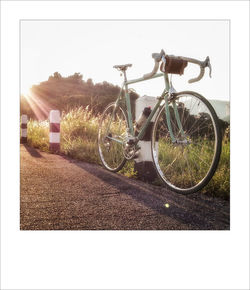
(58, 193)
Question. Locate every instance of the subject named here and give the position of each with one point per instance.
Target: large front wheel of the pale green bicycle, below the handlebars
(187, 160)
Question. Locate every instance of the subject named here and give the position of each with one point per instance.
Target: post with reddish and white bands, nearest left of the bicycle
(54, 134)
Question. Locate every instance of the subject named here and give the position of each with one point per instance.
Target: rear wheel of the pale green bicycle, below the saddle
(111, 135)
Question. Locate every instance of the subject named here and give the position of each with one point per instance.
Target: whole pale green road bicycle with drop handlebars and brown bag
(185, 138)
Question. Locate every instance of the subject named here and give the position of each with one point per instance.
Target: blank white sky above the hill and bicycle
(93, 47)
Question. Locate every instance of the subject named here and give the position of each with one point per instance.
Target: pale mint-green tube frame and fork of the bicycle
(164, 96)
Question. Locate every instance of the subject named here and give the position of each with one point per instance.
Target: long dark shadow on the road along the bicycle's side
(197, 211)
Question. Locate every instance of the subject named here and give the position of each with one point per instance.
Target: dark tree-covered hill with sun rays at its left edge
(66, 93)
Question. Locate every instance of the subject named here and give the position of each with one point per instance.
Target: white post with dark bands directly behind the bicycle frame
(144, 162)
